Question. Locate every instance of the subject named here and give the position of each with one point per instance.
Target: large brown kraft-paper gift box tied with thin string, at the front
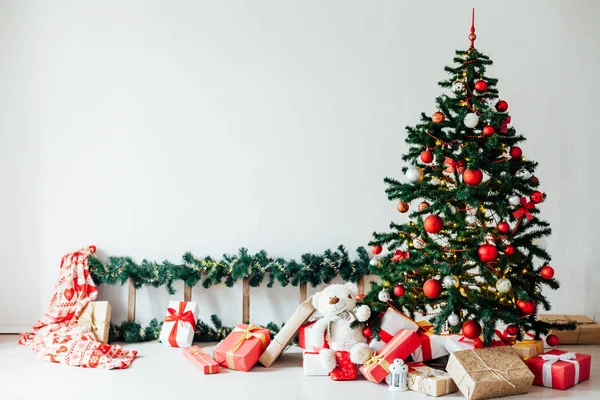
(490, 372)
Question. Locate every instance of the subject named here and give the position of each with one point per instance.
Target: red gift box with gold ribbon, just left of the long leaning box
(242, 348)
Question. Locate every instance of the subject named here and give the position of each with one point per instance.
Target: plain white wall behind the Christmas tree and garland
(150, 128)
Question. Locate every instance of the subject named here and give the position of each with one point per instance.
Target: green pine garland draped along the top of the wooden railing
(312, 268)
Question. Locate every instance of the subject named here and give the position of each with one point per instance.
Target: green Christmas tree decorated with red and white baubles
(473, 257)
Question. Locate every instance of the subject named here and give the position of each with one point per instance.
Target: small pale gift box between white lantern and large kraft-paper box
(429, 381)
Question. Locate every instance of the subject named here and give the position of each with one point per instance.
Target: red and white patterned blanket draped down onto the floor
(56, 336)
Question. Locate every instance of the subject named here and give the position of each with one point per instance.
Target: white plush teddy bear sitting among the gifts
(347, 345)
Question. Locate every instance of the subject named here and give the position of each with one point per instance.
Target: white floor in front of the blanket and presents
(160, 372)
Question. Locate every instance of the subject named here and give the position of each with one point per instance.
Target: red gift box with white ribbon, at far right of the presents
(560, 369)
